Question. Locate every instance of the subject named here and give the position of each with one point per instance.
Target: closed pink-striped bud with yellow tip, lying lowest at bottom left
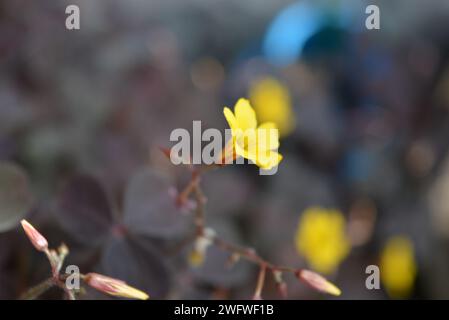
(114, 287)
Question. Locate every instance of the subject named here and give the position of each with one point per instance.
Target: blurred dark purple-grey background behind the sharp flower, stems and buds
(364, 122)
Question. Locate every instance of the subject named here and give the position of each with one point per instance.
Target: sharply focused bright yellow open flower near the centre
(255, 143)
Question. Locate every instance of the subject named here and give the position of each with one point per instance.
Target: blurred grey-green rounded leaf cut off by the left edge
(16, 198)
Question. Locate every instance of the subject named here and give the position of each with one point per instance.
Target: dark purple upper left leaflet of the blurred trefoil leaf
(84, 210)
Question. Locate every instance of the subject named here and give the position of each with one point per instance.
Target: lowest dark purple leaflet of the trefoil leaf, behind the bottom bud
(136, 261)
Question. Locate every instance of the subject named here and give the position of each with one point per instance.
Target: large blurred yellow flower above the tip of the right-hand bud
(321, 238)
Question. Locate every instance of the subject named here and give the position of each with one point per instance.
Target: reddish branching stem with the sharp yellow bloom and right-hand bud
(246, 143)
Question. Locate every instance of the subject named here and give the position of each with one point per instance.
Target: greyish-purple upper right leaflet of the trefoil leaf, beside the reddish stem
(150, 206)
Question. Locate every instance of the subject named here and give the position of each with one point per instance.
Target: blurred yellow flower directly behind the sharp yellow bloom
(272, 102)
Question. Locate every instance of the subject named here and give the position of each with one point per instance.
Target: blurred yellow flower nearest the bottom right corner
(398, 267)
